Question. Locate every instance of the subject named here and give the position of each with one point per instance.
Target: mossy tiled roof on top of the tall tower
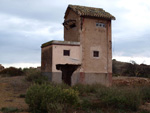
(91, 12)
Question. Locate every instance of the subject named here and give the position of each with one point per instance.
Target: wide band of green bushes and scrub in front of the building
(50, 97)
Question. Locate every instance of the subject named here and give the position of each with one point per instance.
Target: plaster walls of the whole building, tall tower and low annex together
(92, 38)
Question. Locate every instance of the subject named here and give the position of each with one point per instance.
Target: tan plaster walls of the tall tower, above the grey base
(91, 38)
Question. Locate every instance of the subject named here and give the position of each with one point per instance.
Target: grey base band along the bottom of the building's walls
(81, 78)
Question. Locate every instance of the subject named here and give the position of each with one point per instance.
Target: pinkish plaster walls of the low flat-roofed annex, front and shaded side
(53, 55)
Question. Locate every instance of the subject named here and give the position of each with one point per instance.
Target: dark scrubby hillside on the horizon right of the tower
(130, 69)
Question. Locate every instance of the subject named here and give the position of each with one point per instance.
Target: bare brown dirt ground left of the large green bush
(10, 90)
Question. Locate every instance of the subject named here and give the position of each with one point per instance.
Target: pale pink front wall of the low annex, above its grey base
(59, 58)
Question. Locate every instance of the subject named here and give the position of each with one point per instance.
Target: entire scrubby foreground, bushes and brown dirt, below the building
(31, 92)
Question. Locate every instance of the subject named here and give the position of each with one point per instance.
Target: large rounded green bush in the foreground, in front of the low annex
(46, 98)
